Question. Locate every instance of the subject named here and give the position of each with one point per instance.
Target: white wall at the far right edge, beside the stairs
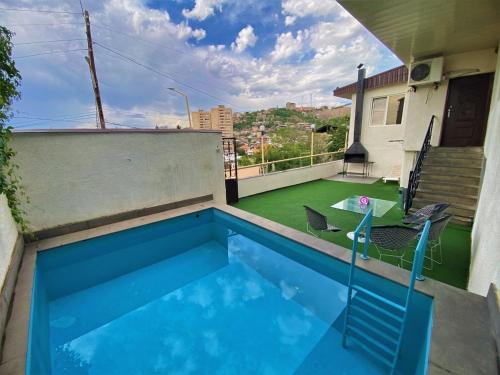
(485, 262)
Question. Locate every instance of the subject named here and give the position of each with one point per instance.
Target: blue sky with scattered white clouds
(244, 54)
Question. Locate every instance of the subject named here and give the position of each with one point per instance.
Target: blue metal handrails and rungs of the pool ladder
(416, 274)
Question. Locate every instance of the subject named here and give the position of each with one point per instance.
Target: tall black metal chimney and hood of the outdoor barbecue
(356, 153)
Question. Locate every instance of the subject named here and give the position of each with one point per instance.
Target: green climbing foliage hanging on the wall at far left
(10, 183)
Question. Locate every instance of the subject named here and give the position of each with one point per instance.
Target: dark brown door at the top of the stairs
(466, 111)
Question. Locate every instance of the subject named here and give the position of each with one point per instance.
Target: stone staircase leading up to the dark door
(451, 175)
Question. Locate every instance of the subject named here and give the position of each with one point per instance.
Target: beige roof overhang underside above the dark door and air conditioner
(425, 28)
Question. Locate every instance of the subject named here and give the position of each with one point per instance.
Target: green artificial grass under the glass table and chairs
(285, 206)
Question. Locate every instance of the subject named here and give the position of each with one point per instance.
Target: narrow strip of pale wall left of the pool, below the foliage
(10, 256)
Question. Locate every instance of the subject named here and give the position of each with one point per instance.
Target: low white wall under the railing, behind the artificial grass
(276, 180)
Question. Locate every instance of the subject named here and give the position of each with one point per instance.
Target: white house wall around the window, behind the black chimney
(381, 141)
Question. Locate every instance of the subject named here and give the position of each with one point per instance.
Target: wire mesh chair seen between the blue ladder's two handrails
(392, 240)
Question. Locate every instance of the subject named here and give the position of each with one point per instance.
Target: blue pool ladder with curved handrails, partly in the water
(379, 335)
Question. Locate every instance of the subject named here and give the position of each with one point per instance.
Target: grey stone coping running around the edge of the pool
(469, 350)
